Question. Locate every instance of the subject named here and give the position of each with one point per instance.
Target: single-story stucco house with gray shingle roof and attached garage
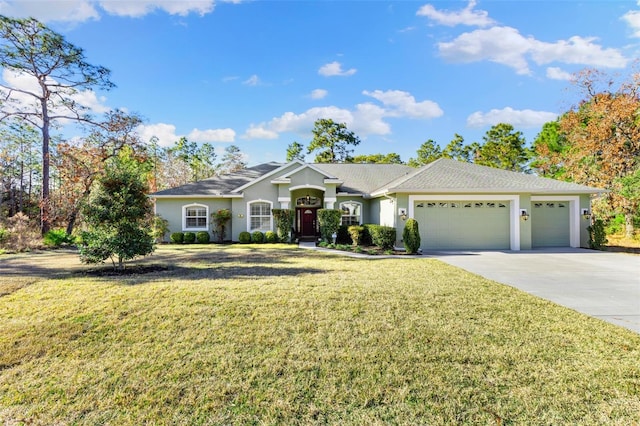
(457, 205)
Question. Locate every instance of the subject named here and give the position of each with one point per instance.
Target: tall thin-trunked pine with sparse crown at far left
(57, 71)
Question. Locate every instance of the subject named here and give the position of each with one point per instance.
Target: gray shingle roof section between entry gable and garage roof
(364, 178)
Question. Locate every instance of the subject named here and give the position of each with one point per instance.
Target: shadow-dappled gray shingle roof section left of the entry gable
(220, 185)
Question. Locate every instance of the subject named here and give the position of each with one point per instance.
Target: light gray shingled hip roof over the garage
(446, 175)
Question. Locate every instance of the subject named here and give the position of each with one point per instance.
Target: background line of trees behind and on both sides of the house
(45, 176)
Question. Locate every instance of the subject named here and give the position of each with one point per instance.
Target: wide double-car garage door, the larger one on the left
(463, 225)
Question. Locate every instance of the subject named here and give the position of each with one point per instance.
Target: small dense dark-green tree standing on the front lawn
(119, 217)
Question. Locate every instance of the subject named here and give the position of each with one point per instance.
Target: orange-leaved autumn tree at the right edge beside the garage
(603, 134)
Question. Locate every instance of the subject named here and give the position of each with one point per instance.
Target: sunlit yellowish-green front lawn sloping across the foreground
(275, 335)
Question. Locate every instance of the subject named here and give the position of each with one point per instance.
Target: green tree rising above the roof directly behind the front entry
(332, 141)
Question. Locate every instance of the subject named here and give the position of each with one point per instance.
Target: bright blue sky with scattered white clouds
(257, 74)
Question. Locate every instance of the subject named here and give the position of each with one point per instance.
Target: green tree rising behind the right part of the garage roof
(504, 148)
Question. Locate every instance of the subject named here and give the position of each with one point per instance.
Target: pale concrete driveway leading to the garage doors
(600, 284)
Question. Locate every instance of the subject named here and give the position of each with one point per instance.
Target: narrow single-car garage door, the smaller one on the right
(550, 224)
